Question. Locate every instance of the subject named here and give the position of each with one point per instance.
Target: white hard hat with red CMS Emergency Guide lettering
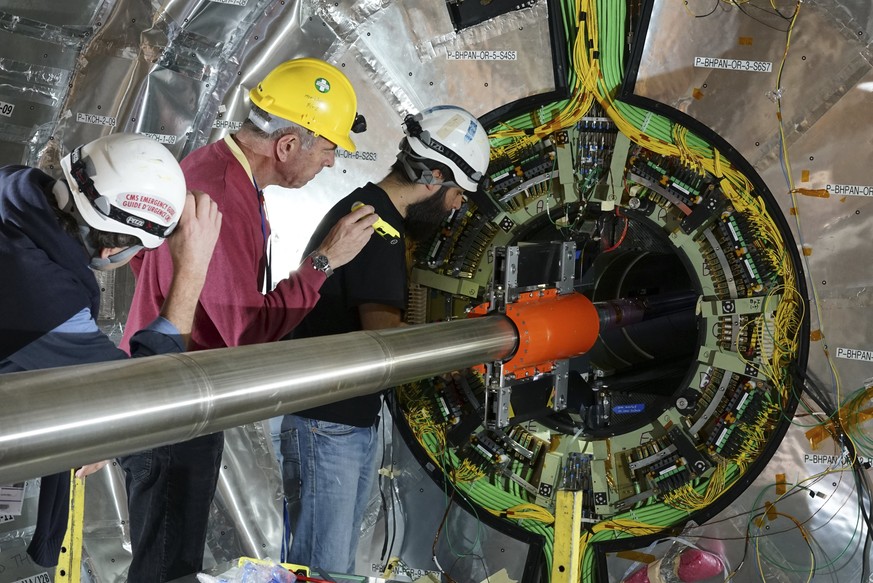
(127, 183)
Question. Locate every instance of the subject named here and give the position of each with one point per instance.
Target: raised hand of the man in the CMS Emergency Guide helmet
(193, 241)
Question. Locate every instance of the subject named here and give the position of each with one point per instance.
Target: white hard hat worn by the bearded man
(452, 136)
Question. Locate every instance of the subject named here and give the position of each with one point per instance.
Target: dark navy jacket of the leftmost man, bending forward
(46, 284)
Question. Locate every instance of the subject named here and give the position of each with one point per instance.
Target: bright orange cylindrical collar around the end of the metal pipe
(551, 327)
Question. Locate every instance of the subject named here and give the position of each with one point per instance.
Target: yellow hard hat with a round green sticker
(313, 94)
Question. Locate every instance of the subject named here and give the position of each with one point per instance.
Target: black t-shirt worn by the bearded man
(377, 275)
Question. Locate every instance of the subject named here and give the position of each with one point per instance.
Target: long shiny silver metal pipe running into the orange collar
(55, 419)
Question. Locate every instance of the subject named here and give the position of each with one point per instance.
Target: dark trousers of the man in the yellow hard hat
(169, 493)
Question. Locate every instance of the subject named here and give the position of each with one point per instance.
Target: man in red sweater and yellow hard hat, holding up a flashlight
(300, 113)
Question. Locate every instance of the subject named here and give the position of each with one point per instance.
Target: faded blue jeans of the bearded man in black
(333, 467)
